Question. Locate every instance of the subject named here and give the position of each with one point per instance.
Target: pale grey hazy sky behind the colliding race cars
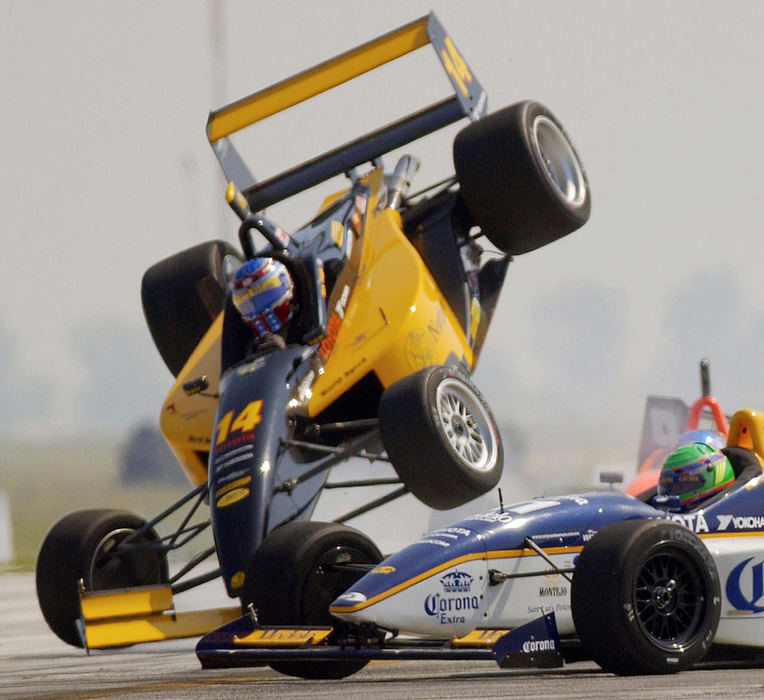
(106, 169)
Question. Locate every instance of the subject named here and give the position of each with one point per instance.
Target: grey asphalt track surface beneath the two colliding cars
(35, 664)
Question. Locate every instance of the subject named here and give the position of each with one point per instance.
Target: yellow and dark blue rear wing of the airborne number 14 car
(469, 100)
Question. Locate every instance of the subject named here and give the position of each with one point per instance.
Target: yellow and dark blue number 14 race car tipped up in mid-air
(354, 336)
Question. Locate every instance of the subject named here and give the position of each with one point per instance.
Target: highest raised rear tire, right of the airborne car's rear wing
(521, 178)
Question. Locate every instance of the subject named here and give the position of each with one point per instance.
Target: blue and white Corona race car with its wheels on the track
(636, 584)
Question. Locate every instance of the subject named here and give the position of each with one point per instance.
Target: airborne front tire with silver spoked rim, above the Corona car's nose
(441, 437)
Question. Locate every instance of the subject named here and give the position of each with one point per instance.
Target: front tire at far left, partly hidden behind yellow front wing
(80, 547)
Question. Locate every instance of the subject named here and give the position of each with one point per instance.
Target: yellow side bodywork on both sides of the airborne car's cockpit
(395, 322)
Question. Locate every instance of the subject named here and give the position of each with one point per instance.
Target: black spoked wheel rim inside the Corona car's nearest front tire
(669, 599)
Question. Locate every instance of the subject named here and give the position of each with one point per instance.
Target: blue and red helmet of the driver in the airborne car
(262, 291)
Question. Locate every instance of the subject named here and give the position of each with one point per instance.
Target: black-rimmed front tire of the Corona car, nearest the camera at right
(645, 598)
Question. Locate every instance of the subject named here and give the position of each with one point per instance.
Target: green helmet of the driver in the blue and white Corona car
(694, 473)
